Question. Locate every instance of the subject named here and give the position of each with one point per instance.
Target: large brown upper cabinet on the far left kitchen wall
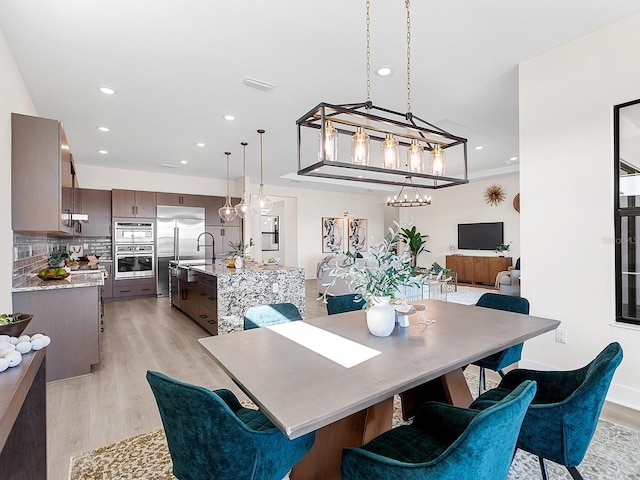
(41, 176)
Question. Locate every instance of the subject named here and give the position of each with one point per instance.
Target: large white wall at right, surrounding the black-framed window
(567, 231)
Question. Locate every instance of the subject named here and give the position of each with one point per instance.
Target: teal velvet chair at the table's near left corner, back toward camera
(211, 435)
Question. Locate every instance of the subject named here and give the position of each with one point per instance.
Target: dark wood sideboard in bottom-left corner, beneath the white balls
(23, 420)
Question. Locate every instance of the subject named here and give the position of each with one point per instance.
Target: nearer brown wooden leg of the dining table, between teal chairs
(322, 462)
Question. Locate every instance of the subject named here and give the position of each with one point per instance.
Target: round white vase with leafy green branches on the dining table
(378, 279)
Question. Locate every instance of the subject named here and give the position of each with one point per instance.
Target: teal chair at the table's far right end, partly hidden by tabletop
(500, 360)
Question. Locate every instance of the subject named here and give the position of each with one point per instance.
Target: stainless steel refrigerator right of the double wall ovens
(178, 229)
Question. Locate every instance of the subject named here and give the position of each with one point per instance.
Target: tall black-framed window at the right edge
(627, 208)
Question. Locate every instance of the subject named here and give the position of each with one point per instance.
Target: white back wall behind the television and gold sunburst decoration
(464, 204)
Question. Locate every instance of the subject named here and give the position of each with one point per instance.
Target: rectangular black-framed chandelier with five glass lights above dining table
(328, 133)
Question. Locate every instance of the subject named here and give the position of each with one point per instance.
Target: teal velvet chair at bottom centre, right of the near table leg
(445, 443)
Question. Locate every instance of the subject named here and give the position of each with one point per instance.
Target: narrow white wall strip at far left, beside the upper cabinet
(14, 97)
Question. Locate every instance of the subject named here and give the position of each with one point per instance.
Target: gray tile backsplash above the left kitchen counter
(31, 251)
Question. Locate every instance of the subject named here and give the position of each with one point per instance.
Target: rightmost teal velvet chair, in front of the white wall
(564, 413)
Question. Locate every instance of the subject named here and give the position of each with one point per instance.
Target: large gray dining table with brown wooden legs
(331, 376)
